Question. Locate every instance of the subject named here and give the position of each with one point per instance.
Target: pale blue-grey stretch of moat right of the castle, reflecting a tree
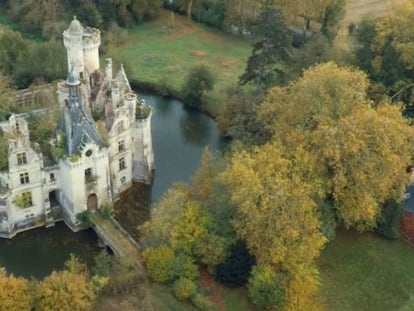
(179, 138)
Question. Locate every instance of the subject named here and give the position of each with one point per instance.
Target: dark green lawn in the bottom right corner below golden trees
(361, 272)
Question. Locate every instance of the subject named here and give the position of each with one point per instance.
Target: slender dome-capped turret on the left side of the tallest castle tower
(72, 39)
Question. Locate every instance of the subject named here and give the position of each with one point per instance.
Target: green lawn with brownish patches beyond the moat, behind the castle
(157, 53)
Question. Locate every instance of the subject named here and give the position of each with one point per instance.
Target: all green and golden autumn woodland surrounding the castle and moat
(321, 140)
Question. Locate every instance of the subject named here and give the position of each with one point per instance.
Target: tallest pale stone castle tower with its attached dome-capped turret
(82, 45)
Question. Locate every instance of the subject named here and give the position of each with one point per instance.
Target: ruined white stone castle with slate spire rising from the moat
(97, 159)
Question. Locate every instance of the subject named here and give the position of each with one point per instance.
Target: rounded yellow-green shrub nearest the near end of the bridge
(160, 263)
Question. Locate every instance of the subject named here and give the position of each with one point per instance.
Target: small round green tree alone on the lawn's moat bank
(198, 81)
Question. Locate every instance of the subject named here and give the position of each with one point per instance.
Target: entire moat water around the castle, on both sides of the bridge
(179, 137)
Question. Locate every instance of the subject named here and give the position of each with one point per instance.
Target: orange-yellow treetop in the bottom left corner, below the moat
(15, 293)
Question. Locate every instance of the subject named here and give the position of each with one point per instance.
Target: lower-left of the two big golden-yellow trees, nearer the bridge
(275, 213)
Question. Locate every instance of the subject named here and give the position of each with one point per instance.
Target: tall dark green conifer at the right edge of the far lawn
(268, 64)
